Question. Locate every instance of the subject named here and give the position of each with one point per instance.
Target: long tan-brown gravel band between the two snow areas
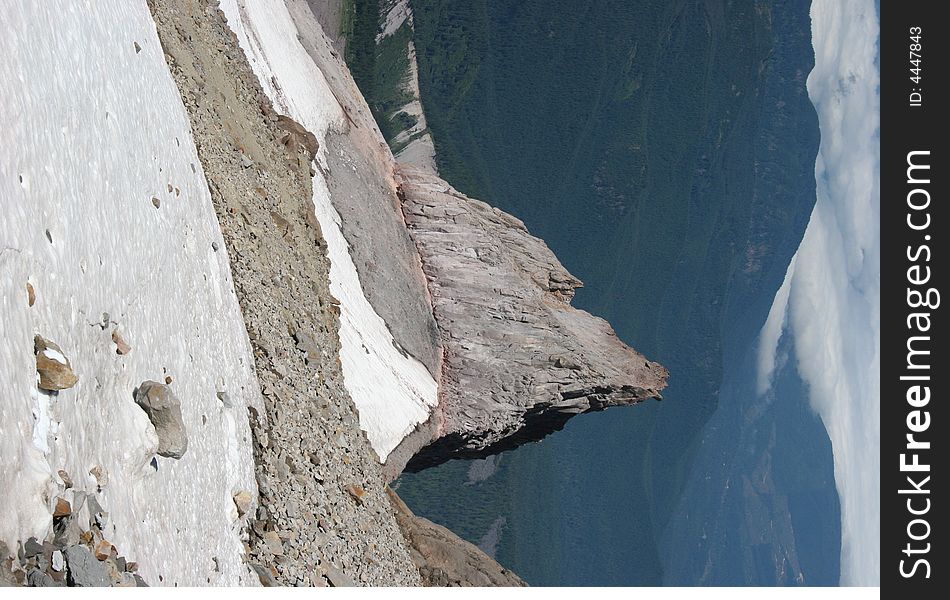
(324, 517)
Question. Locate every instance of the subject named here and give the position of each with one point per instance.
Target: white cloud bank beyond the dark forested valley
(830, 300)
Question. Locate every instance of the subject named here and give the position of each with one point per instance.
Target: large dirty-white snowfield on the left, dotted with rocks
(93, 130)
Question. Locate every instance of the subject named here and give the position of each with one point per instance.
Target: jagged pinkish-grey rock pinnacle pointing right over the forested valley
(519, 359)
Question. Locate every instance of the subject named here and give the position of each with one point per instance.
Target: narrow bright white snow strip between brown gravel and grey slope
(392, 392)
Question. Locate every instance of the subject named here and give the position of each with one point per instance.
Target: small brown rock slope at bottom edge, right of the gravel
(443, 558)
